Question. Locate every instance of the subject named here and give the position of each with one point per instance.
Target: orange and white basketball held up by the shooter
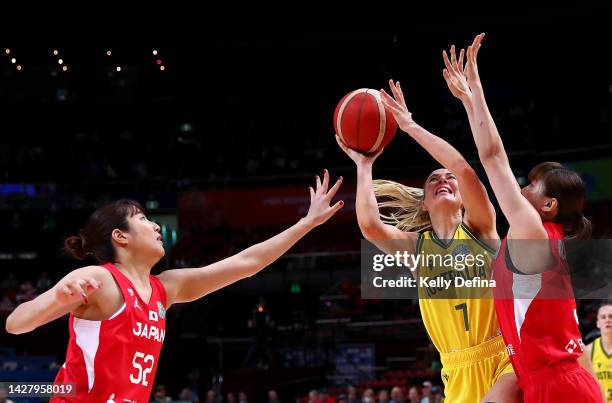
(362, 122)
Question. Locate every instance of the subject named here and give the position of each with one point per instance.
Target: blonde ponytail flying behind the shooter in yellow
(406, 204)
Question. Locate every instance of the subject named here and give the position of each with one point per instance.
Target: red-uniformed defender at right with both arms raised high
(533, 298)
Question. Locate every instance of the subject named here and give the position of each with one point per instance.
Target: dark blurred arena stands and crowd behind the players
(221, 145)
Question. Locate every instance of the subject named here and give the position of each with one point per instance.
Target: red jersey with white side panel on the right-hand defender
(537, 312)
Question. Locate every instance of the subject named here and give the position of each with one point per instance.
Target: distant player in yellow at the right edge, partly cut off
(600, 350)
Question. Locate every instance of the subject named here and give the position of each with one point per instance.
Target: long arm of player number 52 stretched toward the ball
(184, 285)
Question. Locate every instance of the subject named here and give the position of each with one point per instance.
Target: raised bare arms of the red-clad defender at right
(524, 220)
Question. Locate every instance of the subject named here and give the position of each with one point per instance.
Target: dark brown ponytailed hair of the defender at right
(568, 188)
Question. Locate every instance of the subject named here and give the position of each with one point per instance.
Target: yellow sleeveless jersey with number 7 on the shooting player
(456, 313)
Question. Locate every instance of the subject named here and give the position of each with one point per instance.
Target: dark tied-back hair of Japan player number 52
(95, 238)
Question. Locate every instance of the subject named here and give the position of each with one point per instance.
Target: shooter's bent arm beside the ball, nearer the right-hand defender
(479, 212)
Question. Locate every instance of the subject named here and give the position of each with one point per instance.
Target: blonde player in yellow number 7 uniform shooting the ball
(456, 215)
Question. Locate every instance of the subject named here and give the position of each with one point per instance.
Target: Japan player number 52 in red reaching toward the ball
(118, 309)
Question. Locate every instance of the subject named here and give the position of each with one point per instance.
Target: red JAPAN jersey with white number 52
(115, 359)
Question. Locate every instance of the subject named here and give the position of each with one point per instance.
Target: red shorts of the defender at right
(565, 382)
